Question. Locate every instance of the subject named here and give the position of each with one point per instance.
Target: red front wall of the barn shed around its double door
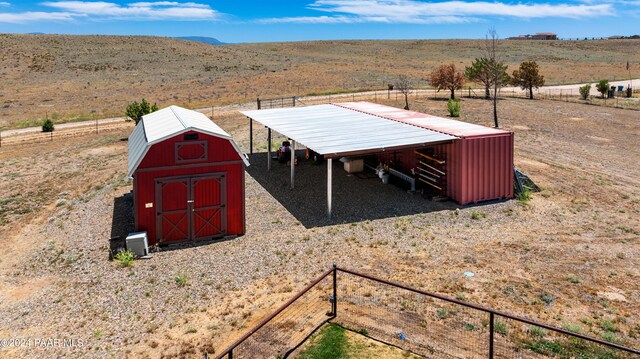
(160, 162)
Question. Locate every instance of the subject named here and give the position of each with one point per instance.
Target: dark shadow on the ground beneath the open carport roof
(356, 198)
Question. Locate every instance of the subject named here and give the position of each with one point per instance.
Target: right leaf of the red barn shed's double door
(208, 219)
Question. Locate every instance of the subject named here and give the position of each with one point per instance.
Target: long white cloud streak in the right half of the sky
(421, 12)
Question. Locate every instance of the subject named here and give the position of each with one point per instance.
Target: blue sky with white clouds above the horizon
(258, 21)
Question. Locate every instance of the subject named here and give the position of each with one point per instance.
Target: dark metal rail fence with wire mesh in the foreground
(423, 323)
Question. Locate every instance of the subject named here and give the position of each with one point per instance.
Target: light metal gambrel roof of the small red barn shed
(166, 123)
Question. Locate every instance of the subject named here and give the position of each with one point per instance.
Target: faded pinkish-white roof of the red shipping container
(445, 125)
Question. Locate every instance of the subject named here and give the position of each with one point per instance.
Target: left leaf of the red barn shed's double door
(172, 219)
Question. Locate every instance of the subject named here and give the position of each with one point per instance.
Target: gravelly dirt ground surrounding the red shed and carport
(570, 257)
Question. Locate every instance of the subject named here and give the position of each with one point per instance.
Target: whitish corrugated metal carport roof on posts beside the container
(336, 131)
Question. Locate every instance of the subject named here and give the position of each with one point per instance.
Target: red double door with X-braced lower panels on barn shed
(191, 208)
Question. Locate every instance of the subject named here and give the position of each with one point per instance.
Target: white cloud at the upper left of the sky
(103, 10)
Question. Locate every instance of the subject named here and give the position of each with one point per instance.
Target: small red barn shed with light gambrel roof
(188, 178)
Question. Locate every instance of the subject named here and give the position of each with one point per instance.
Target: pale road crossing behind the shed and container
(346, 96)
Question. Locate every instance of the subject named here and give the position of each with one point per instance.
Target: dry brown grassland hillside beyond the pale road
(73, 78)
